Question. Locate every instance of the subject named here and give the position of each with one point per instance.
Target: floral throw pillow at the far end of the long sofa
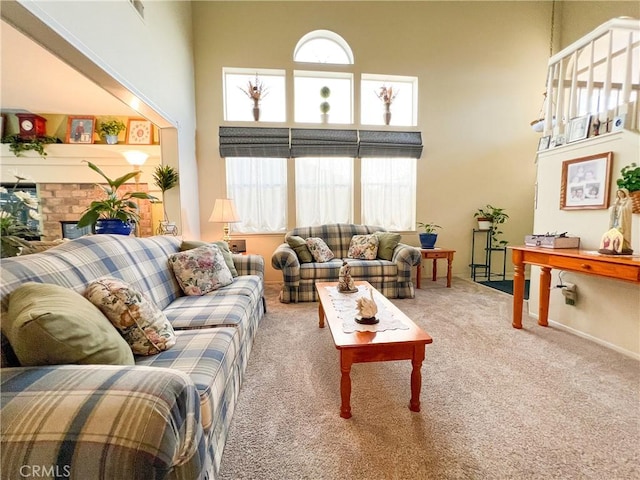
(200, 270)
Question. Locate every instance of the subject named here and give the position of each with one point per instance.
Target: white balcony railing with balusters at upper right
(599, 75)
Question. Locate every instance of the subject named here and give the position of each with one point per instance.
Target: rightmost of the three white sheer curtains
(389, 192)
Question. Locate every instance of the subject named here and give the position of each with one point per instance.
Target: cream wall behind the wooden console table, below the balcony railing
(607, 311)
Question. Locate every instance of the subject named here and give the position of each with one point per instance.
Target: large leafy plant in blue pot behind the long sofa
(116, 213)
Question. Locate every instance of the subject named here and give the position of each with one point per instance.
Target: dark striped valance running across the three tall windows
(317, 142)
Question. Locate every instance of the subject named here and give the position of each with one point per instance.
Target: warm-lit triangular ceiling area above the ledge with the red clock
(36, 81)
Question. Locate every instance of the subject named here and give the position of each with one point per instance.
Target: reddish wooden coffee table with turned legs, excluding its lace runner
(358, 347)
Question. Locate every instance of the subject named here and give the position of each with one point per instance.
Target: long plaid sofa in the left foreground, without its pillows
(167, 417)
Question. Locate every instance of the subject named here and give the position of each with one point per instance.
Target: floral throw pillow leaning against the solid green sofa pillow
(140, 322)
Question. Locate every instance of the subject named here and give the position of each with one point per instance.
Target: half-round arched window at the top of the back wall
(323, 46)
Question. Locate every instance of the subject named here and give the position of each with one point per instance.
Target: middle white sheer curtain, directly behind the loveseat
(324, 191)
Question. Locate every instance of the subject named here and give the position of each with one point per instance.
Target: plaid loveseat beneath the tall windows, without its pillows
(391, 278)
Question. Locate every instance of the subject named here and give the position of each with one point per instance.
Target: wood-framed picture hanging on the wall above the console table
(585, 182)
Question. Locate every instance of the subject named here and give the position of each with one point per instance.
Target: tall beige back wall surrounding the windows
(481, 68)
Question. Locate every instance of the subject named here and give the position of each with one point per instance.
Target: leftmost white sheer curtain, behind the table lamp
(258, 187)
